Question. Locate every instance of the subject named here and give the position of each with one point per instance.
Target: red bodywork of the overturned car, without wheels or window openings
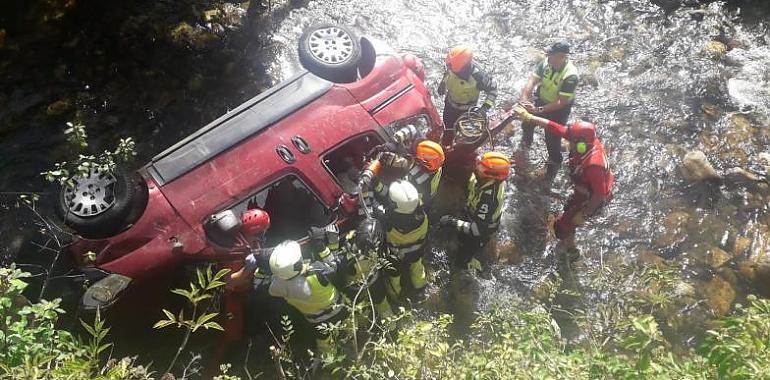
(224, 162)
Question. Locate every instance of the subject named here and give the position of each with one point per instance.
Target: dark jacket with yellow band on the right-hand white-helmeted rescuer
(406, 233)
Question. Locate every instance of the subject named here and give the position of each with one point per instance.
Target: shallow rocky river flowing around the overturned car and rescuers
(657, 84)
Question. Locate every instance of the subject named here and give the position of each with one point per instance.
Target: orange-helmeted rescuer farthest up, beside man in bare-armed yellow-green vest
(462, 83)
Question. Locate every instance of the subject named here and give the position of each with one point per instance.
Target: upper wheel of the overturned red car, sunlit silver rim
(331, 52)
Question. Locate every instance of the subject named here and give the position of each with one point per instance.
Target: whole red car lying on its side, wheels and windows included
(294, 150)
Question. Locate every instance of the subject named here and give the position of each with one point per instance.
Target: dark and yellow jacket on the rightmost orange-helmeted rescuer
(484, 206)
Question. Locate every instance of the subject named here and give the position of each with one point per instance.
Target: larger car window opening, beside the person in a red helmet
(293, 209)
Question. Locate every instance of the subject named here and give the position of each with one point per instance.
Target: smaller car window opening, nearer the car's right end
(346, 161)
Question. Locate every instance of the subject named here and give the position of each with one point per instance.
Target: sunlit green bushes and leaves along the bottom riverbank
(515, 340)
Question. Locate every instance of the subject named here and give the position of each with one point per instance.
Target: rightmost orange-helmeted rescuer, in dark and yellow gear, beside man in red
(483, 208)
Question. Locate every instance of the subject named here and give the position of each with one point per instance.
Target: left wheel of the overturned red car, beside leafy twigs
(98, 204)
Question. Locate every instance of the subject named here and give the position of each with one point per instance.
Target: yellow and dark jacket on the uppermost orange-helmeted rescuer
(464, 92)
